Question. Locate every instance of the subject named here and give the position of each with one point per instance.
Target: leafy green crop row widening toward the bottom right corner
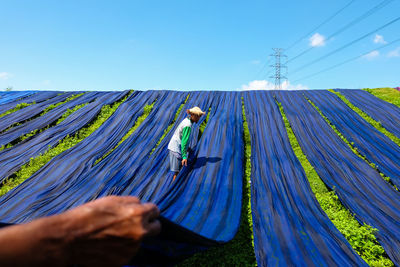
(360, 237)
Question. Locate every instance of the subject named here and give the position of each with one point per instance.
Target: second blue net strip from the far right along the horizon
(370, 142)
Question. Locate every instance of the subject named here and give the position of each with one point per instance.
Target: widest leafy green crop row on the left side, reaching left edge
(36, 163)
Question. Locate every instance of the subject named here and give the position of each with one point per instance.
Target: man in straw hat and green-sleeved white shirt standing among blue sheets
(179, 142)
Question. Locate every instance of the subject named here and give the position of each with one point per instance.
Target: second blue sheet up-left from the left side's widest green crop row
(47, 119)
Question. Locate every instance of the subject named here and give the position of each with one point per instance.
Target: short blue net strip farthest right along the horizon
(384, 112)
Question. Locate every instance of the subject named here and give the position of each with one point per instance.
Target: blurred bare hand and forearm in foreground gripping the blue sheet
(105, 232)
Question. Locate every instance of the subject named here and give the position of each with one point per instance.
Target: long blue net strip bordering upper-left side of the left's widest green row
(11, 159)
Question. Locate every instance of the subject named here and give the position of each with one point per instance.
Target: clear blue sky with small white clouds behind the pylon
(192, 45)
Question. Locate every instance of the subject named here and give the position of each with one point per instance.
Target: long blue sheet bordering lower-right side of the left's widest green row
(62, 170)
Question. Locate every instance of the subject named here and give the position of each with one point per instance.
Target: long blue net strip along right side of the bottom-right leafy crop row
(359, 187)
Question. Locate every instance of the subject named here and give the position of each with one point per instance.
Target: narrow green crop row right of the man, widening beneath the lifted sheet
(240, 250)
